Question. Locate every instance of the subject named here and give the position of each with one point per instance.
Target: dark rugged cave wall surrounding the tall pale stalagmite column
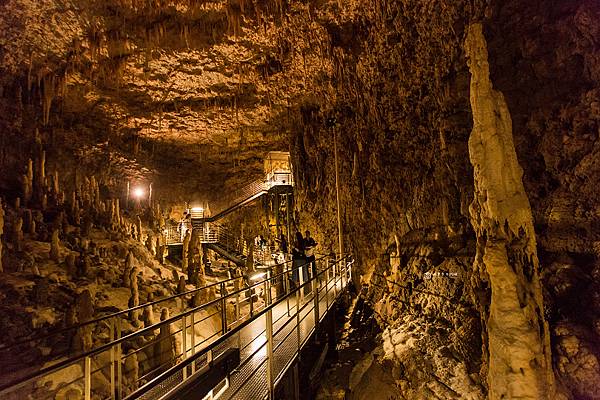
(399, 92)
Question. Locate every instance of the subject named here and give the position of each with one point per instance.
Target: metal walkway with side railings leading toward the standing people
(267, 323)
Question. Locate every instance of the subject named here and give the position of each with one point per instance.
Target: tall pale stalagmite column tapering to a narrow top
(519, 351)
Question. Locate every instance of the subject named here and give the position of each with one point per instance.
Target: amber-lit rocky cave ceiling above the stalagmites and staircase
(159, 90)
